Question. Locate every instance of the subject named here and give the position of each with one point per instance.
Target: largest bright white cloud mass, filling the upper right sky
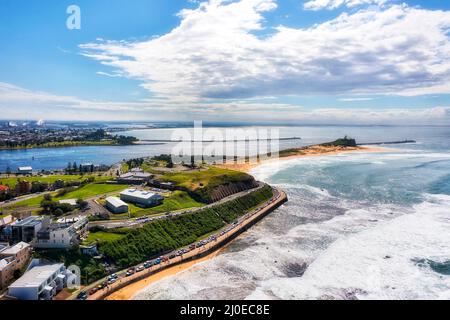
(214, 53)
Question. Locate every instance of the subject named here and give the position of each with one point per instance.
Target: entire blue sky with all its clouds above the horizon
(293, 61)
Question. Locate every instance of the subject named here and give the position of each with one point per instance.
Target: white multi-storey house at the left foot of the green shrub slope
(61, 235)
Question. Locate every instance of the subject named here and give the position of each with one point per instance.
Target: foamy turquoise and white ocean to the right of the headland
(357, 226)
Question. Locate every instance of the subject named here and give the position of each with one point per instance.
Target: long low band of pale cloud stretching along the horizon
(19, 103)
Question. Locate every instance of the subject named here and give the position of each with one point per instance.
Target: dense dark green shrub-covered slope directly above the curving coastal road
(162, 236)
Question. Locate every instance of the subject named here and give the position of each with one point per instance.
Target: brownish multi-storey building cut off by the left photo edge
(12, 259)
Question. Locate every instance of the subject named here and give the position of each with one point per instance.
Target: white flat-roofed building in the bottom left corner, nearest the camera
(41, 282)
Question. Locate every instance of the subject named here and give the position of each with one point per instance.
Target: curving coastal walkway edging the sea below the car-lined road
(243, 224)
